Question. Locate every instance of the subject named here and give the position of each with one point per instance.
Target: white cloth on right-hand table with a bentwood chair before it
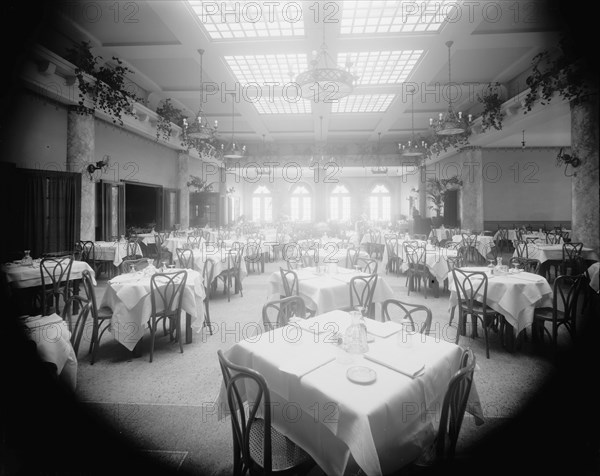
(515, 296)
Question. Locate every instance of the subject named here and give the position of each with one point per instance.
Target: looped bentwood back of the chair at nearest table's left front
(236, 380)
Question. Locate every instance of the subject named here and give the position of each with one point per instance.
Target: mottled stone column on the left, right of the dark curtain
(81, 153)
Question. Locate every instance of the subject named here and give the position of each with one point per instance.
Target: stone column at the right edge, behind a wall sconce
(585, 184)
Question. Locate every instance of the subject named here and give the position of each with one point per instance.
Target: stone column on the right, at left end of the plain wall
(471, 194)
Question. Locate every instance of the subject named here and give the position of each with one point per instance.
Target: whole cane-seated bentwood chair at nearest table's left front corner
(258, 448)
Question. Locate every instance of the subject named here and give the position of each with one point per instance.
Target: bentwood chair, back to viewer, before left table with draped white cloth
(166, 297)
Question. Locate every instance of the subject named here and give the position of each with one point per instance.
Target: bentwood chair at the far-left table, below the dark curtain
(56, 282)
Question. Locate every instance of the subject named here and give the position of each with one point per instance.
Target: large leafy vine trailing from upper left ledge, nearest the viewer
(107, 88)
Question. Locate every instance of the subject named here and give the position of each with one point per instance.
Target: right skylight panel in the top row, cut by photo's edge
(393, 16)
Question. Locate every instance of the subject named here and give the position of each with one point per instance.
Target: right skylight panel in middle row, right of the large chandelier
(381, 67)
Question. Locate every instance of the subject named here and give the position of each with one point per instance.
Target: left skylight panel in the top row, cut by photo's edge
(241, 19)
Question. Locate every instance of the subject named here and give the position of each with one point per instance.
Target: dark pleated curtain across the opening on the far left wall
(52, 211)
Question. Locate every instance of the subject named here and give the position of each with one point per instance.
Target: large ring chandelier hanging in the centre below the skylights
(324, 80)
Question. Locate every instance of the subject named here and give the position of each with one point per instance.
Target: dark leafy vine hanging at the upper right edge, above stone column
(570, 74)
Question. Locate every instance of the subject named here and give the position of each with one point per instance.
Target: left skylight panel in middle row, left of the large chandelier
(264, 69)
